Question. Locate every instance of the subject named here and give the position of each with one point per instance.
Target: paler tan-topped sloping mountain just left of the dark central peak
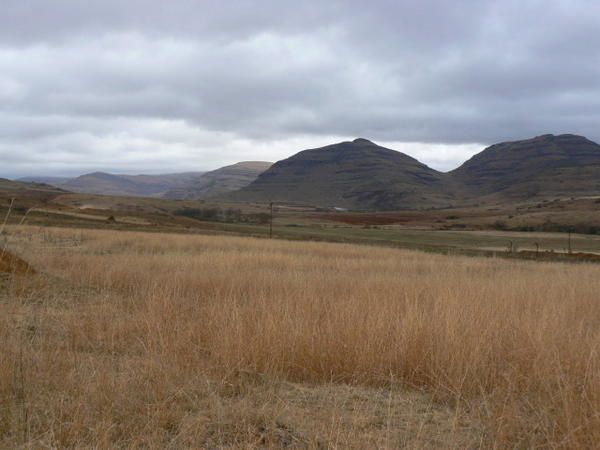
(220, 181)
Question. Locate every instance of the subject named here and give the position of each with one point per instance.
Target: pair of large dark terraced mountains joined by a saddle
(363, 175)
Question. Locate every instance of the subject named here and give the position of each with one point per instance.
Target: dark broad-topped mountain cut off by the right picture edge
(545, 166)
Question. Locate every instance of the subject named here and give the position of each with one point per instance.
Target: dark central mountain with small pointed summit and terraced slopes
(357, 175)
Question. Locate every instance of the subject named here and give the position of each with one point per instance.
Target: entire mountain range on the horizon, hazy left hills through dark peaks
(363, 175)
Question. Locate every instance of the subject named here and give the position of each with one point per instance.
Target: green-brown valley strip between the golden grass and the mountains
(458, 231)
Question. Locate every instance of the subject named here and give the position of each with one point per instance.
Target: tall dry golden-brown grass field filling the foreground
(130, 340)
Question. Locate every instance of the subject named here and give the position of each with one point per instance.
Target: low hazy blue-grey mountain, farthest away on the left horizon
(128, 185)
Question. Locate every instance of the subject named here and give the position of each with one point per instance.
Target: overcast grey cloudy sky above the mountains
(139, 86)
